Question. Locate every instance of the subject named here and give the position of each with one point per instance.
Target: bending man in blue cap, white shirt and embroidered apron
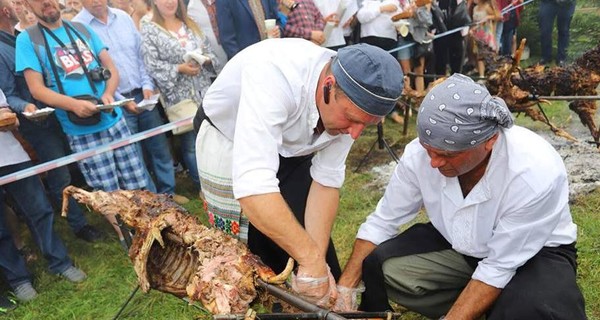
(280, 121)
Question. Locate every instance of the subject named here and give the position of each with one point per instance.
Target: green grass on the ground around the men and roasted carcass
(112, 279)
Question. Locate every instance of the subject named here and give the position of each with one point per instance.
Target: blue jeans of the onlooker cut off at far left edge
(31, 201)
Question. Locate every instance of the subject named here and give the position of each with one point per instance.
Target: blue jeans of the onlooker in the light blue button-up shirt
(156, 148)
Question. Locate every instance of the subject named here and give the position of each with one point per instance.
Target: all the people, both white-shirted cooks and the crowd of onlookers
(275, 121)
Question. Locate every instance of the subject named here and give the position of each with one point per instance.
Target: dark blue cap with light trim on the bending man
(369, 76)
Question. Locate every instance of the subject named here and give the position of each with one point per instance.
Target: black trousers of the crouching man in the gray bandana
(543, 288)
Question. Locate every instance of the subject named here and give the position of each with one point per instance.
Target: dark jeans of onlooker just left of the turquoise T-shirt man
(49, 144)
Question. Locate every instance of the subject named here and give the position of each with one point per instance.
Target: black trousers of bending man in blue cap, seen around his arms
(294, 184)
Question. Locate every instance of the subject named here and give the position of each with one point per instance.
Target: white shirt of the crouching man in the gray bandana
(519, 206)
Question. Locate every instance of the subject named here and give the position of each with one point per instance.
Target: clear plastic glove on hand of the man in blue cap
(320, 291)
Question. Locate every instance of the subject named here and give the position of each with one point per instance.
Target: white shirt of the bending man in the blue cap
(264, 101)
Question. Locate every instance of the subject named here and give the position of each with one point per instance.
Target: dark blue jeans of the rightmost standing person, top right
(550, 11)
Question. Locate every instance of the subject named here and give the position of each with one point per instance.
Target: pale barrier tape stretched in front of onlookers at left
(47, 166)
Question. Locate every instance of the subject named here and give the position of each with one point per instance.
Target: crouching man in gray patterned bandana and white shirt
(500, 241)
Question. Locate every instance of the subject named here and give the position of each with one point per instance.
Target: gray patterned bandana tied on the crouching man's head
(459, 114)
